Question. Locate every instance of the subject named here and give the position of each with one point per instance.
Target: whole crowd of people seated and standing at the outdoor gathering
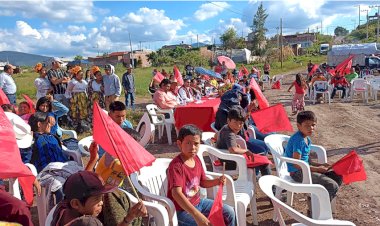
(90, 195)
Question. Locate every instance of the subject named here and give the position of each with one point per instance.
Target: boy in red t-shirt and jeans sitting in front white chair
(185, 176)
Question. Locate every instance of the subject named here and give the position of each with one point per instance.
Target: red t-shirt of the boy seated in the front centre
(181, 175)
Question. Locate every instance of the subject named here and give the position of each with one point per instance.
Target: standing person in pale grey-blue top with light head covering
(112, 86)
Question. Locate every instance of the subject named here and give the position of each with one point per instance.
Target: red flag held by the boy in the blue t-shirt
(351, 168)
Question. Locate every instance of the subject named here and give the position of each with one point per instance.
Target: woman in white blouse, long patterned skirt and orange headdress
(76, 90)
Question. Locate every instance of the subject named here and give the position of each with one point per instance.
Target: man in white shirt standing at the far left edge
(7, 84)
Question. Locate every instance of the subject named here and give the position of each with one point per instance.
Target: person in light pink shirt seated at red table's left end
(163, 98)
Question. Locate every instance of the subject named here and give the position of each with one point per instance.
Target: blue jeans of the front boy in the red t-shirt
(204, 206)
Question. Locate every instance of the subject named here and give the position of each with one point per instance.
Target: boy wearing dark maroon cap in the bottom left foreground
(84, 200)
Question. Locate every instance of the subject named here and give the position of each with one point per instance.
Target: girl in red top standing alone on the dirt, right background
(298, 103)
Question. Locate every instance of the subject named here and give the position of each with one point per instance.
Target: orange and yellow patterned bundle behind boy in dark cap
(112, 173)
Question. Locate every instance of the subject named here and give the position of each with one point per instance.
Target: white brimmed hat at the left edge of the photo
(21, 129)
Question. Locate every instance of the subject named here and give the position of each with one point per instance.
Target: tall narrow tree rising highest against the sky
(258, 28)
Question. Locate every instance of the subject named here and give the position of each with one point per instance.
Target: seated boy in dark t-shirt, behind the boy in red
(226, 138)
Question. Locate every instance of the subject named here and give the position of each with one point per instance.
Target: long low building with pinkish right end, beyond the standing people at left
(140, 59)
